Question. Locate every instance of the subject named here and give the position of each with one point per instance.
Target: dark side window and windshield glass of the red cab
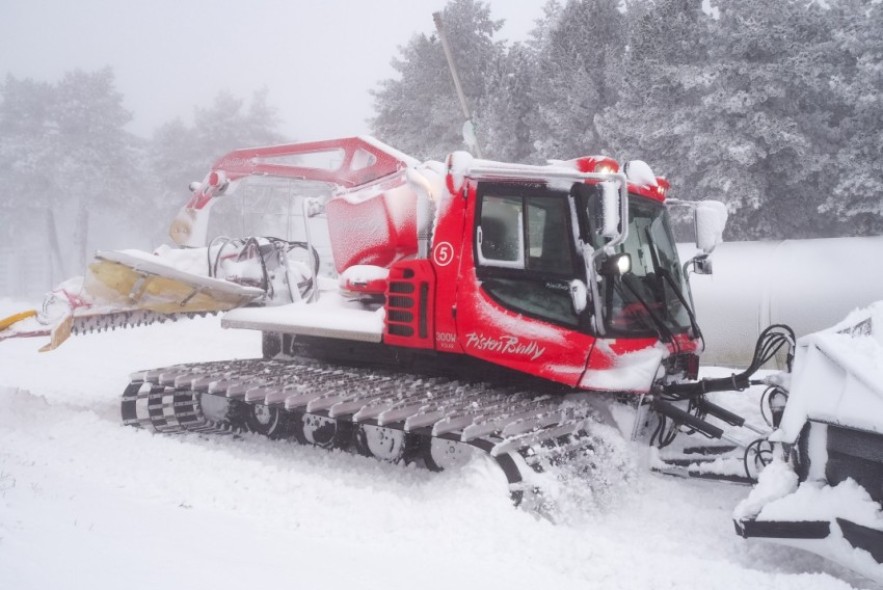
(529, 259)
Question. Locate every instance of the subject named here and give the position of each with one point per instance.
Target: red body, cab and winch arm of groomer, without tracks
(566, 272)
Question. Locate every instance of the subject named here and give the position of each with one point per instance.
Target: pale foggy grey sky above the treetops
(318, 60)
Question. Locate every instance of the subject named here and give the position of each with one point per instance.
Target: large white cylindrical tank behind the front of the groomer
(807, 284)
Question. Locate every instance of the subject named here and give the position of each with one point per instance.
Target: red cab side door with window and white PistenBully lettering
(517, 310)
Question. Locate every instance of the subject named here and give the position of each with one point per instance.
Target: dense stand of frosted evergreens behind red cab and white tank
(773, 107)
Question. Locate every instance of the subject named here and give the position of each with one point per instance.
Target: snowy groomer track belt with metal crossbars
(522, 431)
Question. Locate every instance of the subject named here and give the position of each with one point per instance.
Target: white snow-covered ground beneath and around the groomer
(88, 503)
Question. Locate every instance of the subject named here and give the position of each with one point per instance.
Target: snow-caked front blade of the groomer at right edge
(825, 490)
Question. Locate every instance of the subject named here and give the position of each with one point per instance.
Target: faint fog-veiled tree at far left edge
(65, 154)
